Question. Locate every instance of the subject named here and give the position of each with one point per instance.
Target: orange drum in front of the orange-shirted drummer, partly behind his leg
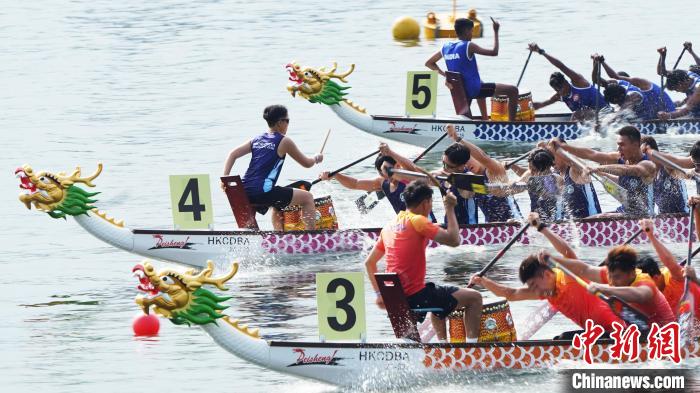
(496, 324)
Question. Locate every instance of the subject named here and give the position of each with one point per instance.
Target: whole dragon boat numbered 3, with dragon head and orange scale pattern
(182, 298)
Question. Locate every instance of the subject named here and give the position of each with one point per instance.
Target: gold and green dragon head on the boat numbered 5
(316, 85)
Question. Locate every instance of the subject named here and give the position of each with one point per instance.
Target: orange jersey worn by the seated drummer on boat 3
(403, 242)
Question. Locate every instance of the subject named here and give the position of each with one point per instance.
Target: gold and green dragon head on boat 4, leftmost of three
(56, 194)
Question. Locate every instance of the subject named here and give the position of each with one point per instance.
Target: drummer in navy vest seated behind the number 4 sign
(269, 151)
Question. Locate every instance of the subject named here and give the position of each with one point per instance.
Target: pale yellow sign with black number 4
(190, 197)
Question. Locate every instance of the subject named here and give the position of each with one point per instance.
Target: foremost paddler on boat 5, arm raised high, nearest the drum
(580, 95)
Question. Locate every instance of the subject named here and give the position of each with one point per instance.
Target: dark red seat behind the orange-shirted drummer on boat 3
(403, 318)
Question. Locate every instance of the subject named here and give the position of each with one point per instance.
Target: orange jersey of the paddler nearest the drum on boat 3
(576, 303)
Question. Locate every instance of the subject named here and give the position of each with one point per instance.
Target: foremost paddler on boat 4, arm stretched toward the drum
(391, 185)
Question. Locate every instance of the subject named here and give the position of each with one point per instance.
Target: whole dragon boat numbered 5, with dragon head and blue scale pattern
(319, 86)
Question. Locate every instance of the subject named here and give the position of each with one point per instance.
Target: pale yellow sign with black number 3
(341, 306)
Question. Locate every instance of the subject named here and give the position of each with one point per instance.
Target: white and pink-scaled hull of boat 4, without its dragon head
(198, 246)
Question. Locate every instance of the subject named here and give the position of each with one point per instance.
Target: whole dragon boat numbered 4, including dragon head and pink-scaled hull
(60, 195)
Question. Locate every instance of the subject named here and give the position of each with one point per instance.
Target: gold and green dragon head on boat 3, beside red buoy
(181, 297)
